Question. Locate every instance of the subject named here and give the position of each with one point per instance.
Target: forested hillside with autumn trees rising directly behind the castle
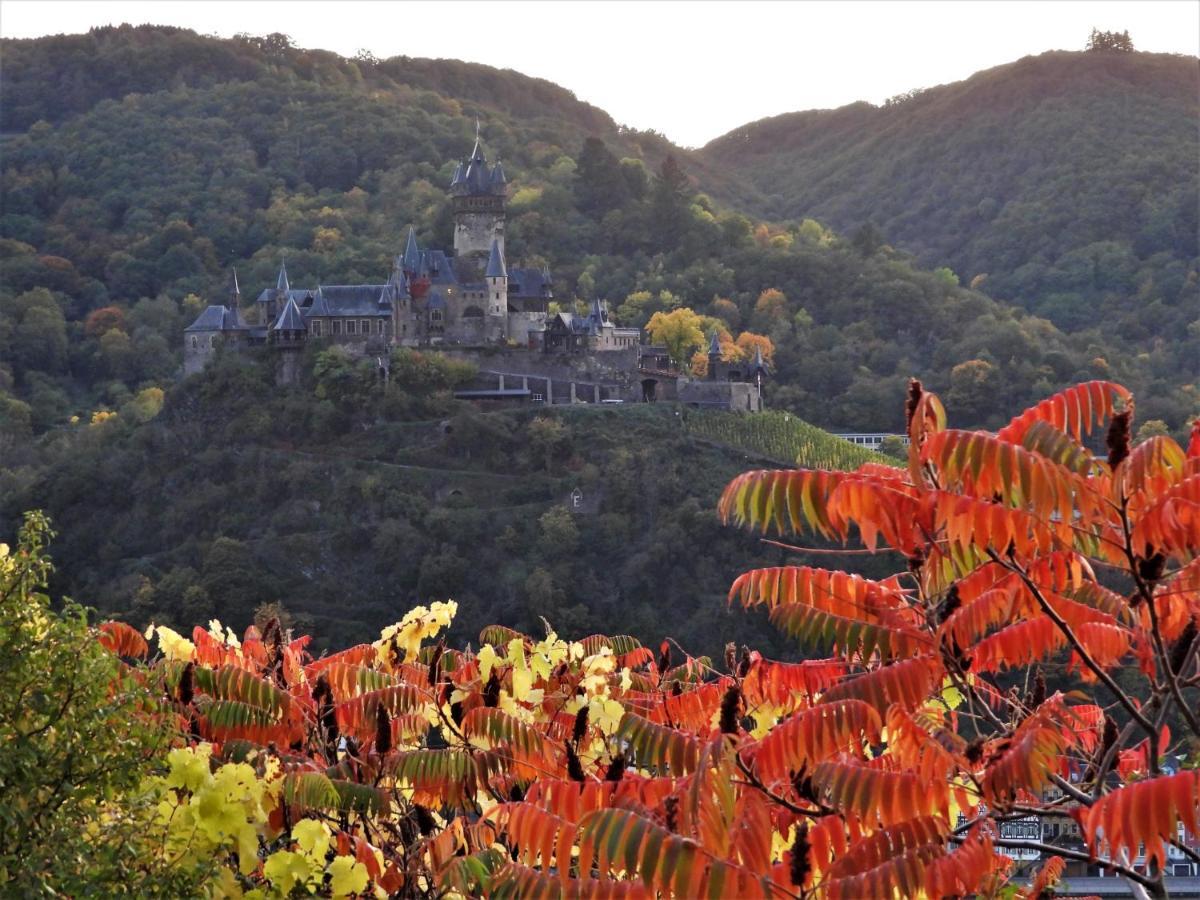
(141, 164)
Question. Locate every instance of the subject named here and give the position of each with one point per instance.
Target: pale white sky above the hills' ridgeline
(689, 70)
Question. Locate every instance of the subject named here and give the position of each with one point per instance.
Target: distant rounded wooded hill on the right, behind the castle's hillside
(1069, 179)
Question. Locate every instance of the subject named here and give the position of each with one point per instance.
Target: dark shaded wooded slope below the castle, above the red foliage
(239, 496)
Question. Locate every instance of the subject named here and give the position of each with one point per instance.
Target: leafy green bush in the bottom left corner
(81, 735)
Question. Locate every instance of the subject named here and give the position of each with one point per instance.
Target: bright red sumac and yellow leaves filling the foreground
(879, 760)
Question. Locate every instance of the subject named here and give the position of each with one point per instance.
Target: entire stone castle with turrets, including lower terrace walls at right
(471, 304)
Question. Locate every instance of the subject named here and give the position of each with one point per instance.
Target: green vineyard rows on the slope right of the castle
(782, 437)
